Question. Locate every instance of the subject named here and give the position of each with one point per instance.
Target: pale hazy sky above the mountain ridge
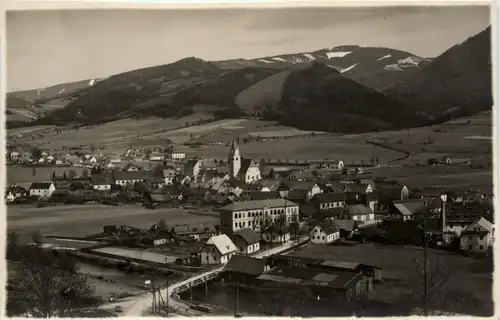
(51, 47)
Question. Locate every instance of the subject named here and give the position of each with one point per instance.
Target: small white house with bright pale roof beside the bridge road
(217, 250)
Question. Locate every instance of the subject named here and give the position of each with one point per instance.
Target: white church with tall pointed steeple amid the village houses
(243, 169)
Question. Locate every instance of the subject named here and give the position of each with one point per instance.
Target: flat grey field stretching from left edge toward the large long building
(84, 220)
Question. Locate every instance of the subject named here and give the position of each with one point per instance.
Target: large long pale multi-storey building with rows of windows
(253, 214)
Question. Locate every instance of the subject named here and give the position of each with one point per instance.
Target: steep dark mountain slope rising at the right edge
(458, 82)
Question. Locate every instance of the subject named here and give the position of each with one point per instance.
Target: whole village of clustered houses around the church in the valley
(267, 221)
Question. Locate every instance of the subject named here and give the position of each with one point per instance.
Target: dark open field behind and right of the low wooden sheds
(467, 274)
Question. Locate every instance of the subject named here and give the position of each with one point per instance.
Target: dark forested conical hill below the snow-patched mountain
(318, 97)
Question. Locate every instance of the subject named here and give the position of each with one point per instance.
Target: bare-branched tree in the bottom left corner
(45, 285)
